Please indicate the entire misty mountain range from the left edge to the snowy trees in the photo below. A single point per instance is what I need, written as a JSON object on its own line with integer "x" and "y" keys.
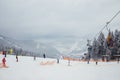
{"x": 52, "y": 48}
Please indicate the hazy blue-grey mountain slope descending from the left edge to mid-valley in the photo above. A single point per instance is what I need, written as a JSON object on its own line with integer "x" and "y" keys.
{"x": 31, "y": 46}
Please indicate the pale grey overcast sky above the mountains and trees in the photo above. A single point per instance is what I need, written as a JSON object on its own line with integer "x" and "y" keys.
{"x": 34, "y": 19}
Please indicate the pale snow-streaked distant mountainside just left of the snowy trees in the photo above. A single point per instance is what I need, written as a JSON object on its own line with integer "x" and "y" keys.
{"x": 72, "y": 47}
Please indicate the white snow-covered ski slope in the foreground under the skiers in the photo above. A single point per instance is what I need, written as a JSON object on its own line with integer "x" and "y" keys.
{"x": 28, "y": 69}
